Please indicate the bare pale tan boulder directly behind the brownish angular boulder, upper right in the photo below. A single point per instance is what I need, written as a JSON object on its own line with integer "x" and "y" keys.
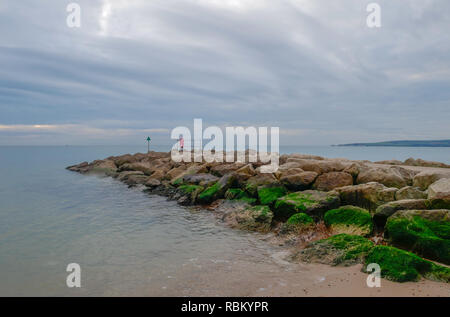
{"x": 389, "y": 176}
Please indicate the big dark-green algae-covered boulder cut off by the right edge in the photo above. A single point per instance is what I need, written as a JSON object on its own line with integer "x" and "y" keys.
{"x": 425, "y": 232}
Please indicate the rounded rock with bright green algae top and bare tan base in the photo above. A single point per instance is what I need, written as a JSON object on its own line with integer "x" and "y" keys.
{"x": 350, "y": 220}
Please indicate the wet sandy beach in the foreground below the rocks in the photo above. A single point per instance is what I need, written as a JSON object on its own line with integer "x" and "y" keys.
{"x": 276, "y": 277}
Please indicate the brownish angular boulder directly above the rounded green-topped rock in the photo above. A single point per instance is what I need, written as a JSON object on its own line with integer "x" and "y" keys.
{"x": 368, "y": 196}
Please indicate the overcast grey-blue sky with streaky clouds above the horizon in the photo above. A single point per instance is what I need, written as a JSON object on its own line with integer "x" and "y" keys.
{"x": 135, "y": 68}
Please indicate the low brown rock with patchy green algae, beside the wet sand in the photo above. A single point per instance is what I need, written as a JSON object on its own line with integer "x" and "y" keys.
{"x": 341, "y": 249}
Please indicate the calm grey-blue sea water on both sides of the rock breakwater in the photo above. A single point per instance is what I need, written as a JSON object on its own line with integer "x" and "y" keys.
{"x": 125, "y": 241}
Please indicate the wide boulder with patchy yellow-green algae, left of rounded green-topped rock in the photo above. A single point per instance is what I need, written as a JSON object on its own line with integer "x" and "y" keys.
{"x": 312, "y": 202}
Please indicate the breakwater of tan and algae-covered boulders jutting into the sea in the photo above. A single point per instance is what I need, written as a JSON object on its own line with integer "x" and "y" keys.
{"x": 245, "y": 199}
